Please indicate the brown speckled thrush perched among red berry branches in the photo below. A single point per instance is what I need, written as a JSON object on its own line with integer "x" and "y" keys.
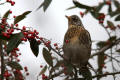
{"x": 77, "y": 43}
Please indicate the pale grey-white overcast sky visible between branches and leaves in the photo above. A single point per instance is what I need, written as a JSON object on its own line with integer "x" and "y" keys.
{"x": 52, "y": 25}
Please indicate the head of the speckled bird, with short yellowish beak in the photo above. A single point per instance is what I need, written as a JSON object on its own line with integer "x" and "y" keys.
{"x": 74, "y": 20}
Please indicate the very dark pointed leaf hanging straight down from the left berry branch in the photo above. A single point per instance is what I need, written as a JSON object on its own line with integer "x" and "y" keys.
{"x": 34, "y": 46}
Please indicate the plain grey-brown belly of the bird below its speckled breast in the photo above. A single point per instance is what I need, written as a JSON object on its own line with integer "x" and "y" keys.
{"x": 76, "y": 53}
